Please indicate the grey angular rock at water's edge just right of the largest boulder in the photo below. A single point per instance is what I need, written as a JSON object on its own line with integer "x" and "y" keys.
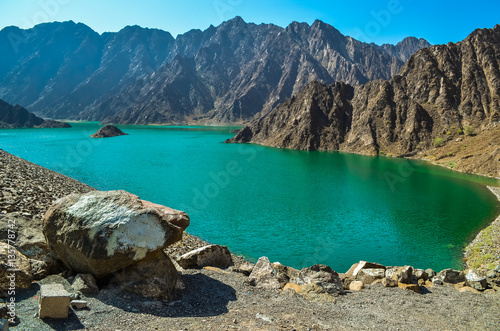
{"x": 207, "y": 256}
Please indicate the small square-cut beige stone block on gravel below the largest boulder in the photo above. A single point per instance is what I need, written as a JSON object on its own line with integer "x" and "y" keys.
{"x": 54, "y": 301}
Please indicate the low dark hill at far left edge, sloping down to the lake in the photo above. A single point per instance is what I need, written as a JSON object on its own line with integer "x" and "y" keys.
{"x": 18, "y": 117}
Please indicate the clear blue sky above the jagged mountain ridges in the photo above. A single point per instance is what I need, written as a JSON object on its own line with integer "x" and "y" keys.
{"x": 386, "y": 21}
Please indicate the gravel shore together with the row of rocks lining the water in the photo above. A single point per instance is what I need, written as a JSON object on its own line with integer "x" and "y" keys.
{"x": 217, "y": 299}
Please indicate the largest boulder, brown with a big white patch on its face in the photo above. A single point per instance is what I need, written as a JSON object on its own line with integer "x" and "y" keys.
{"x": 102, "y": 232}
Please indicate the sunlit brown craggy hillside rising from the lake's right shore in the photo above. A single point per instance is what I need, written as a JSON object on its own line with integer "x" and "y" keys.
{"x": 444, "y": 103}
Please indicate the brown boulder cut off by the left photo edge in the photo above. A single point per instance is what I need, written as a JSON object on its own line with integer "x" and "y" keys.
{"x": 15, "y": 269}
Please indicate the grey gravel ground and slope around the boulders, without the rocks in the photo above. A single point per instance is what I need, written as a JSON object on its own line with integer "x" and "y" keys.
{"x": 214, "y": 299}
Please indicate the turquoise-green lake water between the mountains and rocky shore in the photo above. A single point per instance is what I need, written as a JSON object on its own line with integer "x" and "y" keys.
{"x": 298, "y": 208}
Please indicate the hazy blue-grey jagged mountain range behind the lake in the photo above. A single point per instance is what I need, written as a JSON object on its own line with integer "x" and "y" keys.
{"x": 223, "y": 75}
